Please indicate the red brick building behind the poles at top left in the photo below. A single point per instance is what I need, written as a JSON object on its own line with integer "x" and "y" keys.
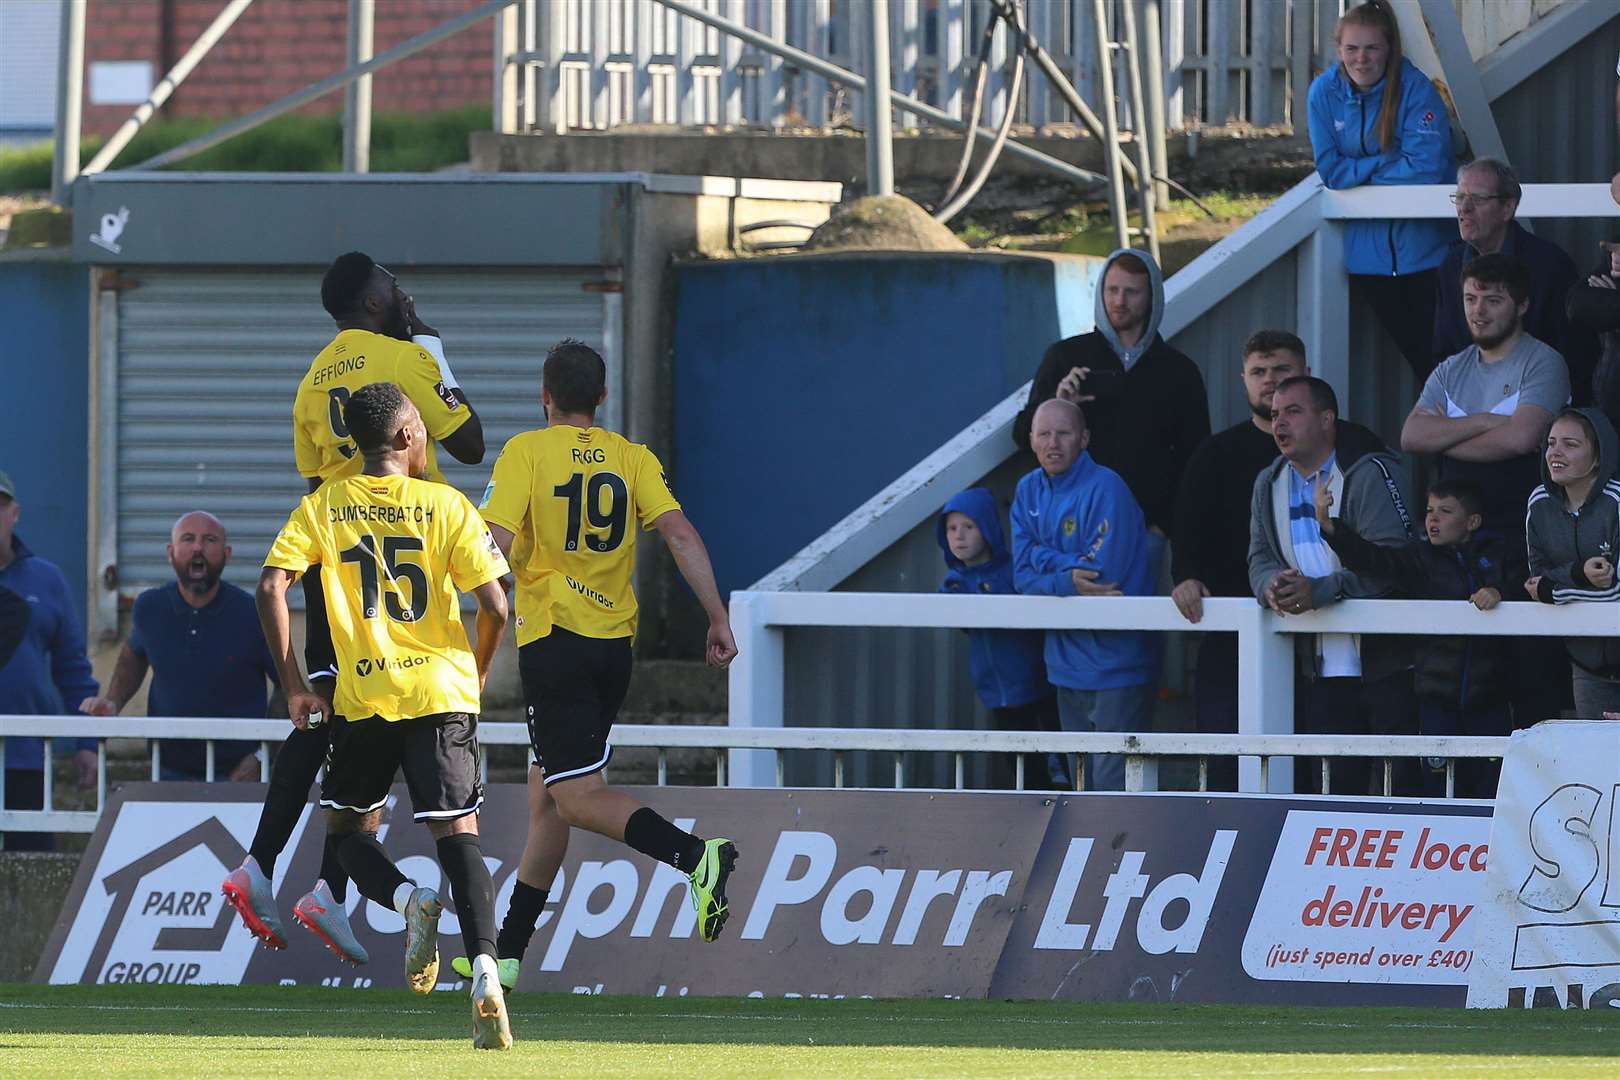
{"x": 275, "y": 49}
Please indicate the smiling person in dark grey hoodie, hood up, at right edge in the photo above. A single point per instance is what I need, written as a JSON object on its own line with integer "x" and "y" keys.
{"x": 1574, "y": 530}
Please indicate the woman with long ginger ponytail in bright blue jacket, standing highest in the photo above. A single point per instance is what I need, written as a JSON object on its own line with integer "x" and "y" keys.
{"x": 1378, "y": 121}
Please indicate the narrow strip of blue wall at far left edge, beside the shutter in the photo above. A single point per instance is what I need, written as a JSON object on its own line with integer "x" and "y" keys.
{"x": 45, "y": 433}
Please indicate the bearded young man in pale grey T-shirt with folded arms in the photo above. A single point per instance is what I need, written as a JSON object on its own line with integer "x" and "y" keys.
{"x": 1485, "y": 415}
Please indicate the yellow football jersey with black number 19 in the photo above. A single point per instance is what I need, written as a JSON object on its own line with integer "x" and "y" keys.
{"x": 571, "y": 498}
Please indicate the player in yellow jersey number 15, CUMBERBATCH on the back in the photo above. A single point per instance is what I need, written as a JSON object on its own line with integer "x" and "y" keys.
{"x": 394, "y": 550}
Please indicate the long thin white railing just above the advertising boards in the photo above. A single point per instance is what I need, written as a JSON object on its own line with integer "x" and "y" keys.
{"x": 774, "y": 742}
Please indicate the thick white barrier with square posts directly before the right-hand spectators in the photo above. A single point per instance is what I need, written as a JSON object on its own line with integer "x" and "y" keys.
{"x": 1266, "y": 653}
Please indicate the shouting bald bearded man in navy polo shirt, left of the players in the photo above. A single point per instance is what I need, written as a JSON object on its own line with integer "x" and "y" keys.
{"x": 202, "y": 642}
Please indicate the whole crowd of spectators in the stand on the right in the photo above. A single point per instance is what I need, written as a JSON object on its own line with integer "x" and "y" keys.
{"x": 1298, "y": 508}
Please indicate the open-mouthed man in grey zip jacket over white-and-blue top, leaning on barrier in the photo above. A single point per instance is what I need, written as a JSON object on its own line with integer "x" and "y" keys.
{"x": 1354, "y": 686}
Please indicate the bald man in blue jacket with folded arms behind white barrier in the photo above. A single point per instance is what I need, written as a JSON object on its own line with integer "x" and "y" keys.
{"x": 1078, "y": 532}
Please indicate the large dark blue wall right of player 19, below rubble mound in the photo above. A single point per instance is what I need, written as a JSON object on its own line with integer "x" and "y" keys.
{"x": 806, "y": 385}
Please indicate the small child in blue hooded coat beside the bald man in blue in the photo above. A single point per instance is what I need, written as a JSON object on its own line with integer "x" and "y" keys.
{"x": 1008, "y": 666}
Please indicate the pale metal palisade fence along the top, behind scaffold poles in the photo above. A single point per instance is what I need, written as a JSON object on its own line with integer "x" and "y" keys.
{"x": 600, "y": 64}
